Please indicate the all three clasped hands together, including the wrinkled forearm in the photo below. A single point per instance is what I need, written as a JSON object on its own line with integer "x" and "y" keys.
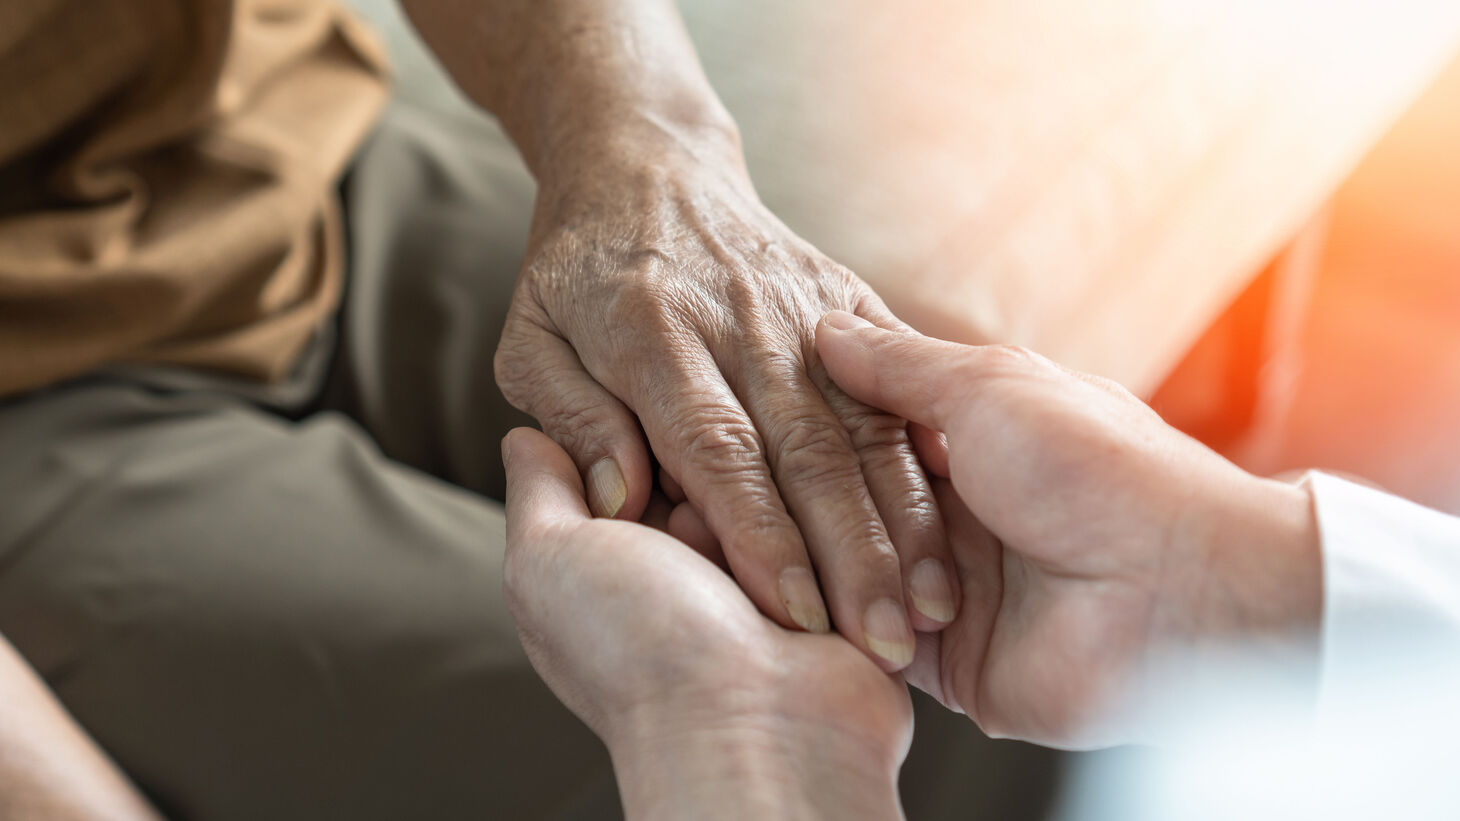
{"x": 665, "y": 312}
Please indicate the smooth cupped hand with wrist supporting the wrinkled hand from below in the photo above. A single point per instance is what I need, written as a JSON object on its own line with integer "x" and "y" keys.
{"x": 707, "y": 708}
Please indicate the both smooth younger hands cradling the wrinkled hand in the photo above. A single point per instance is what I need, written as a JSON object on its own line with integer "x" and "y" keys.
{"x": 1086, "y": 535}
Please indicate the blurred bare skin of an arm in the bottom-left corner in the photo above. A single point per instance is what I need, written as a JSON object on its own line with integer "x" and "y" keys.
{"x": 49, "y": 768}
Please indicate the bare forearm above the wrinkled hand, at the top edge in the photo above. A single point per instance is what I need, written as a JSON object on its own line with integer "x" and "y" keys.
{"x": 577, "y": 80}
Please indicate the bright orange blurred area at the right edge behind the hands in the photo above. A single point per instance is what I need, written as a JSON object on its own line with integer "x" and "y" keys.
{"x": 1378, "y": 386}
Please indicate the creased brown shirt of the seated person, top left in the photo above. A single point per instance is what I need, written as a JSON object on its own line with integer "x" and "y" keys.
{"x": 167, "y": 180}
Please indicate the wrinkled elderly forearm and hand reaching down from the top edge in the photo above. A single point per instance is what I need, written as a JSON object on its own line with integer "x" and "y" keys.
{"x": 662, "y": 302}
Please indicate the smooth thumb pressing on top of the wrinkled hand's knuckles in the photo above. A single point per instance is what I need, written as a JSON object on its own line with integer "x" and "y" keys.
{"x": 916, "y": 378}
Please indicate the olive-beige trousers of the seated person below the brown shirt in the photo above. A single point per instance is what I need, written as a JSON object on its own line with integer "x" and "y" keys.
{"x": 287, "y": 604}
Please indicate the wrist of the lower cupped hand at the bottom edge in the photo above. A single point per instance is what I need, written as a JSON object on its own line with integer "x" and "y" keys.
{"x": 751, "y": 768}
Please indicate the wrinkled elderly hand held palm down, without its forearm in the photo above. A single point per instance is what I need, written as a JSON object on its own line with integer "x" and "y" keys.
{"x": 661, "y": 300}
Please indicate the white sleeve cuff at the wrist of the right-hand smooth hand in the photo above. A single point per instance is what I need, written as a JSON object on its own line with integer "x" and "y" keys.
{"x": 1391, "y": 588}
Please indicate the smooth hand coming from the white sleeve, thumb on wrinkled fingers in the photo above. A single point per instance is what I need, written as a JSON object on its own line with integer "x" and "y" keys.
{"x": 1088, "y": 534}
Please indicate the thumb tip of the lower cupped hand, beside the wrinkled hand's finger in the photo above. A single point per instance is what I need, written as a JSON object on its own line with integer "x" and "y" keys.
{"x": 542, "y": 484}
